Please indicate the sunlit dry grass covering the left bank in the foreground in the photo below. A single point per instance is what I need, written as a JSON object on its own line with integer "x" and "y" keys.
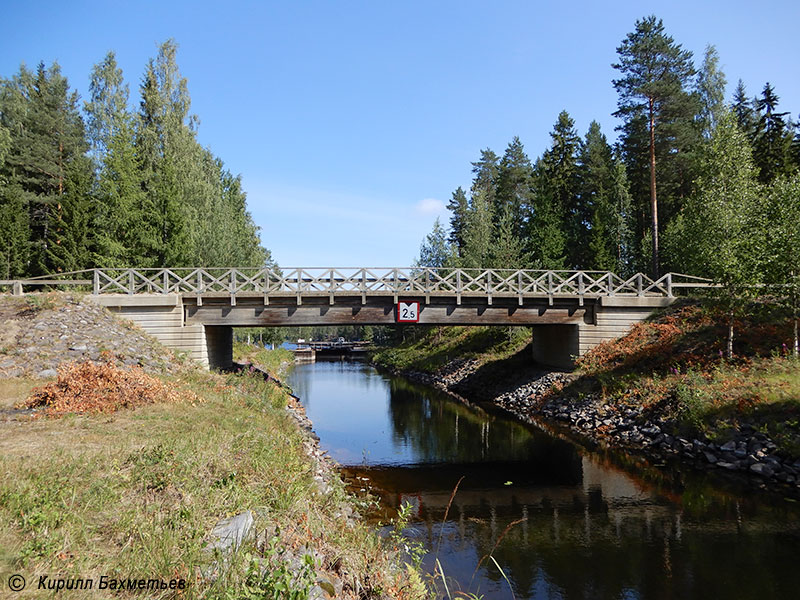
{"x": 135, "y": 493}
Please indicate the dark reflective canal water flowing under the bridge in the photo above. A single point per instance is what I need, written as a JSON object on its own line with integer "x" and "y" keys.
{"x": 587, "y": 525}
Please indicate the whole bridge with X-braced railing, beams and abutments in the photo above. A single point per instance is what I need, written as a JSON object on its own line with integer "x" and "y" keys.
{"x": 195, "y": 309}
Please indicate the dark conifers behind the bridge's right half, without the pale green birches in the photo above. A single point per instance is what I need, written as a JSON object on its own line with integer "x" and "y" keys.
{"x": 586, "y": 203}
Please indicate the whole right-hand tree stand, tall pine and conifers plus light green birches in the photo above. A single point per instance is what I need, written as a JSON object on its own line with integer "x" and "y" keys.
{"x": 693, "y": 184}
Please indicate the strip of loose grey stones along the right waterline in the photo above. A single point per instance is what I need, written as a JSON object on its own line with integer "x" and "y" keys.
{"x": 748, "y": 452}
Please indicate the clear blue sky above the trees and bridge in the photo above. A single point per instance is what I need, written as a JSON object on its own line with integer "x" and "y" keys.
{"x": 352, "y": 122}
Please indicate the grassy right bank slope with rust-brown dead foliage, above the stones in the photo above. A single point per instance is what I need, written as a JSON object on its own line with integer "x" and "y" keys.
{"x": 673, "y": 364}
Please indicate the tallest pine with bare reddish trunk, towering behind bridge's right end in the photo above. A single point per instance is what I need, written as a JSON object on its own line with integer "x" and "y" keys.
{"x": 655, "y": 72}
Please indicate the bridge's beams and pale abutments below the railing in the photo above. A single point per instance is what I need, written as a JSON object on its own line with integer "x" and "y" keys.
{"x": 563, "y": 328}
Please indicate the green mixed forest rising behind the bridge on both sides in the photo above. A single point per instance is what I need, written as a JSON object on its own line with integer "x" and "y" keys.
{"x": 692, "y": 182}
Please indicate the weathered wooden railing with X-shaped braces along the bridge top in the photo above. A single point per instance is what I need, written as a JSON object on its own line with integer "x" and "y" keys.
{"x": 331, "y": 282}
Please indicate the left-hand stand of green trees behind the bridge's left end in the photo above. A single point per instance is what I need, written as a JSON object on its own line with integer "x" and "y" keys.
{"x": 101, "y": 185}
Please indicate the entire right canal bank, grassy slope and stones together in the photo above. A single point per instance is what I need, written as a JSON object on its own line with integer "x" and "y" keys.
{"x": 663, "y": 391}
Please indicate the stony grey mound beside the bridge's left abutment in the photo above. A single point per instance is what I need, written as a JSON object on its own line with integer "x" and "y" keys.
{"x": 40, "y": 332}
